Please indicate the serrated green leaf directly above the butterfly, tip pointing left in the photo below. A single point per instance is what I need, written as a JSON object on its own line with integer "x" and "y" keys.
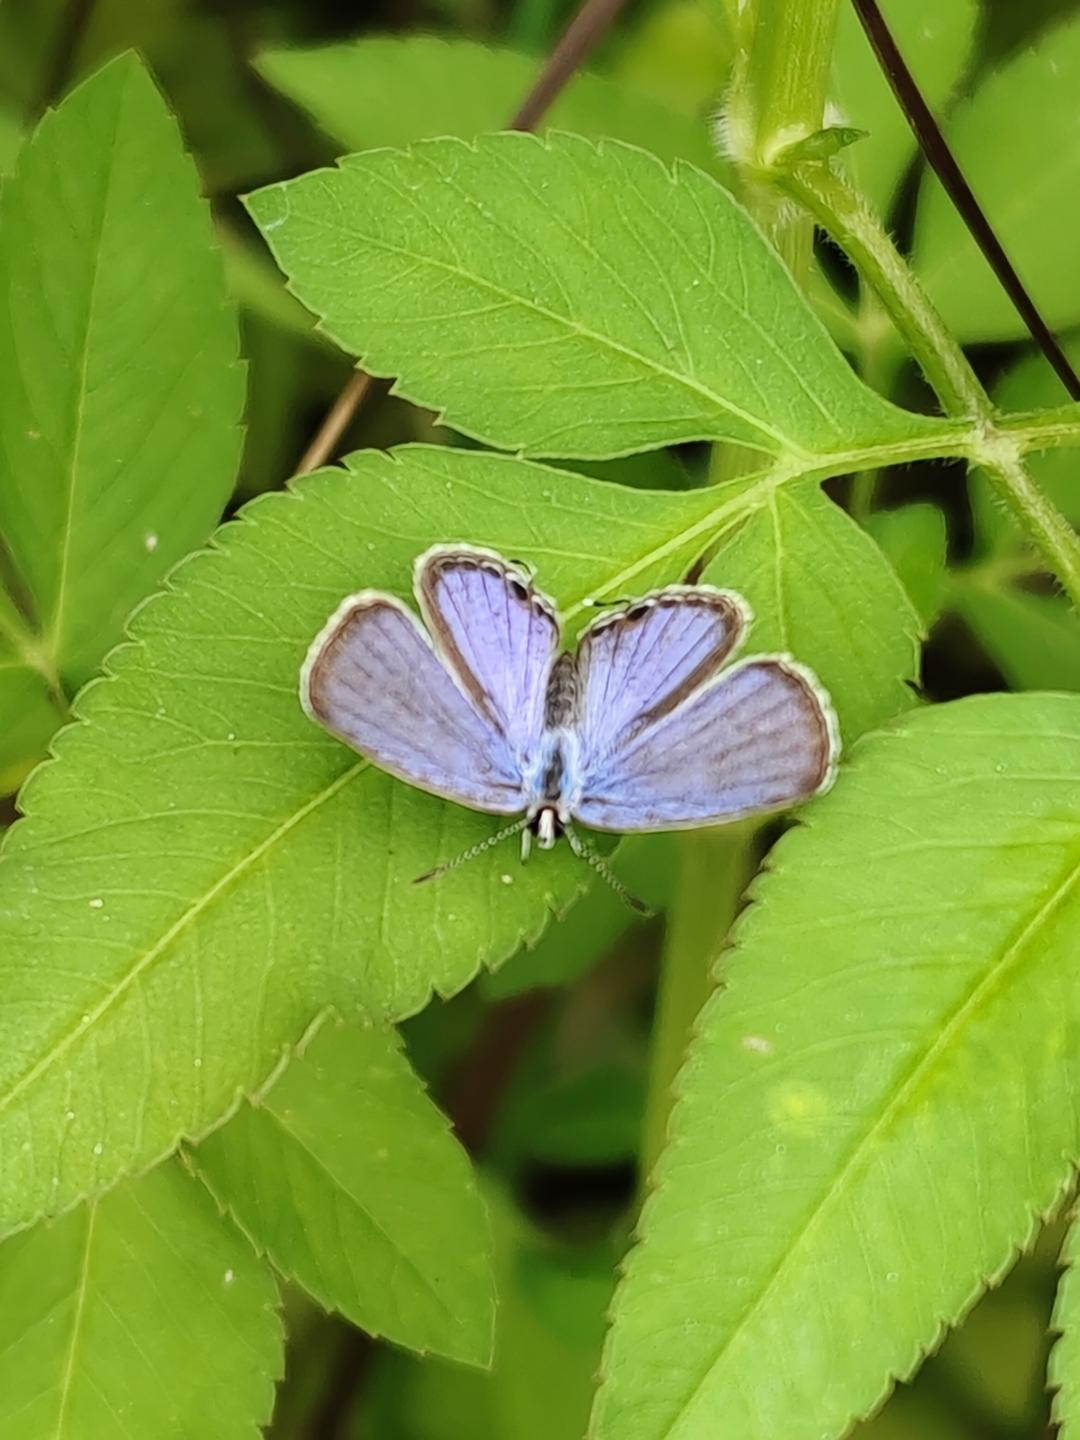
{"x": 502, "y": 286}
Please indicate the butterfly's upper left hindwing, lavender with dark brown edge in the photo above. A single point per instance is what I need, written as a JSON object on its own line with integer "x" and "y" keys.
{"x": 496, "y": 633}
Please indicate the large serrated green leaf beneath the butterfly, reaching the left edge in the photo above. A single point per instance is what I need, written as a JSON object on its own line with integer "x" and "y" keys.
{"x": 202, "y": 870}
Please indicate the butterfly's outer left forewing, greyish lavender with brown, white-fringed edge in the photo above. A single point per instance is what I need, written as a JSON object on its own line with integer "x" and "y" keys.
{"x": 375, "y": 682}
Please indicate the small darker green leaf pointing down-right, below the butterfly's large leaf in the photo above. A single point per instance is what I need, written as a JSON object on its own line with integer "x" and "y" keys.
{"x": 348, "y": 1177}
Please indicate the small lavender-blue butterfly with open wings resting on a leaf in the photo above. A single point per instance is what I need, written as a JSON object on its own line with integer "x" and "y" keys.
{"x": 646, "y": 726}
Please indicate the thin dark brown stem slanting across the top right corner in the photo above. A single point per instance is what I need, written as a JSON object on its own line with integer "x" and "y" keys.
{"x": 937, "y": 150}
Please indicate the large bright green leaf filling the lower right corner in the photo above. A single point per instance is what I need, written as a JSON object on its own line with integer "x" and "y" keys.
{"x": 881, "y": 1099}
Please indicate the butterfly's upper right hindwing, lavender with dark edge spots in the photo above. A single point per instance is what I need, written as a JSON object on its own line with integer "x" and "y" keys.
{"x": 640, "y": 663}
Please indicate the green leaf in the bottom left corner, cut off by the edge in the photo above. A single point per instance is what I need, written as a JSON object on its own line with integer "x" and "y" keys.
{"x": 143, "y": 1314}
